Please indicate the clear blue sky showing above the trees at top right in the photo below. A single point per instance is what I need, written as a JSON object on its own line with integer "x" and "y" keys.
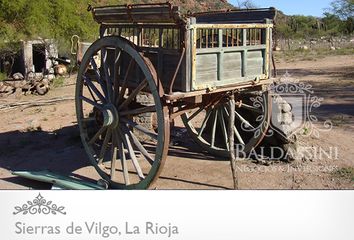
{"x": 294, "y": 7}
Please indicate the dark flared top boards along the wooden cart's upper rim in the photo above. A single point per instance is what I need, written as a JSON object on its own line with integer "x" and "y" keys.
{"x": 169, "y": 14}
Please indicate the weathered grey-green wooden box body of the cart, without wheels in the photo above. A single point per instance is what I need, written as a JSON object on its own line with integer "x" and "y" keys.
{"x": 214, "y": 49}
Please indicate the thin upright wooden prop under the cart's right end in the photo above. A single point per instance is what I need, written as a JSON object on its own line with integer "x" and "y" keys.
{"x": 231, "y": 140}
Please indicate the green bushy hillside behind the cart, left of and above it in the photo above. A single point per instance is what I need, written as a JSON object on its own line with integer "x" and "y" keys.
{"x": 26, "y": 19}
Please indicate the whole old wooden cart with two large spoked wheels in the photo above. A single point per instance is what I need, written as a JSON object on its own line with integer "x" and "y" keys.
{"x": 151, "y": 65}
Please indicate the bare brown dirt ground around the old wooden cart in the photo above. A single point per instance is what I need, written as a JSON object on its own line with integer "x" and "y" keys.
{"x": 47, "y": 137}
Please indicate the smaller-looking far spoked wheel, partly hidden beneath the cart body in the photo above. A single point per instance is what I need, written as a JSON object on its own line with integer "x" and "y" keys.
{"x": 208, "y": 125}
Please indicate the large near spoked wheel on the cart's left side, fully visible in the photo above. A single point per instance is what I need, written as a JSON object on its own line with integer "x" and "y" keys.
{"x": 117, "y": 91}
